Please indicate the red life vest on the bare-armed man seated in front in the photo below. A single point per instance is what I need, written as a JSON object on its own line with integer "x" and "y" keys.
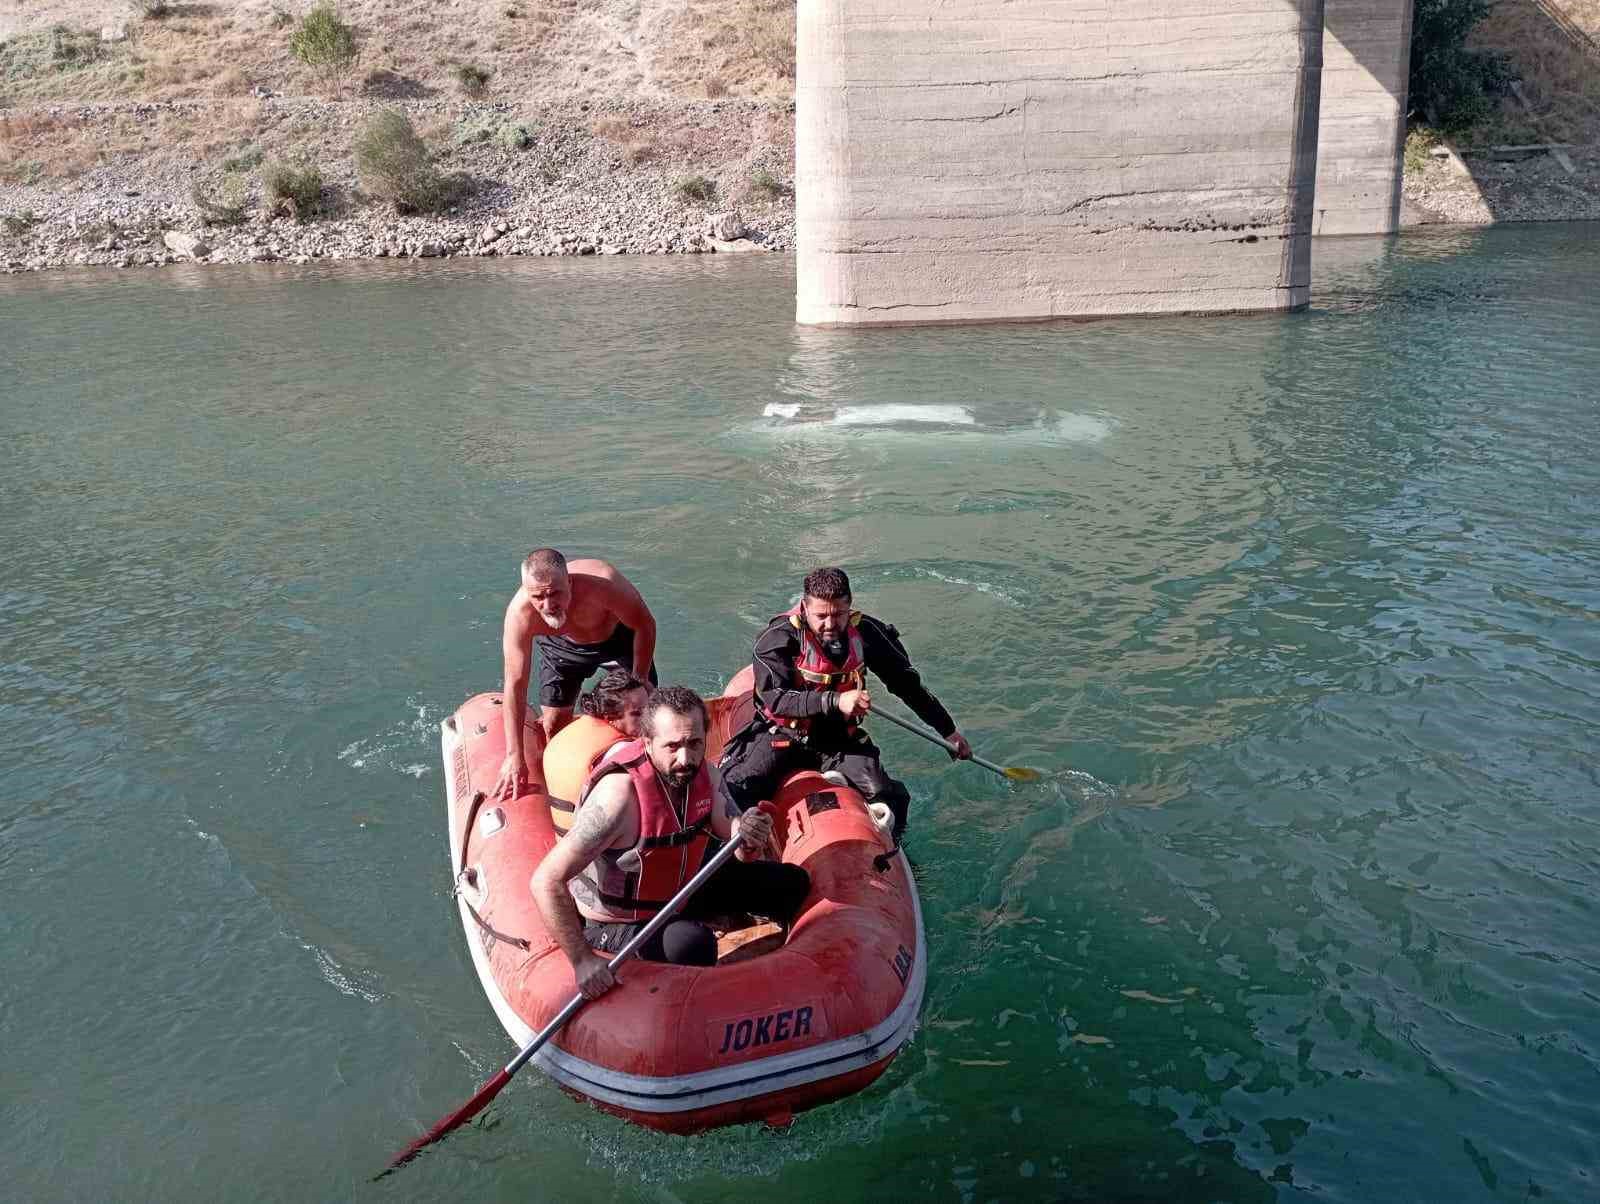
{"x": 623, "y": 886}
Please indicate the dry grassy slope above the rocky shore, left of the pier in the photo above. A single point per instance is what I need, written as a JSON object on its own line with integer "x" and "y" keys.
{"x": 550, "y": 50}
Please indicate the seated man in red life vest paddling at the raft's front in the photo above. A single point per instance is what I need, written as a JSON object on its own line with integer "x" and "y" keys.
{"x": 644, "y": 822}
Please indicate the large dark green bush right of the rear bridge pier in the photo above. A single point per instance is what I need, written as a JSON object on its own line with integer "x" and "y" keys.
{"x": 1452, "y": 86}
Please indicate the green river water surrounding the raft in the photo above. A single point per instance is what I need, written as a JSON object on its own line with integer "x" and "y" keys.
{"x": 1303, "y": 616}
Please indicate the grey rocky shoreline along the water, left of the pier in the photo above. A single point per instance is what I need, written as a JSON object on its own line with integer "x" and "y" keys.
{"x": 559, "y": 188}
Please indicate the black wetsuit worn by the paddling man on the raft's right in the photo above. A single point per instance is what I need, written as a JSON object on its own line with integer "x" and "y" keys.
{"x": 762, "y": 755}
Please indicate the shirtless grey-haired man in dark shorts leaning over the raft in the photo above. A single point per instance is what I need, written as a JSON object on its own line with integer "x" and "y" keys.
{"x": 582, "y": 617}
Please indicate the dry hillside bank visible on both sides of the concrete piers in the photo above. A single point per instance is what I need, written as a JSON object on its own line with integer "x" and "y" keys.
{"x": 111, "y": 114}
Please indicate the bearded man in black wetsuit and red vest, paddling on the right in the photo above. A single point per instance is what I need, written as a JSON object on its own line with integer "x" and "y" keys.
{"x": 812, "y": 696}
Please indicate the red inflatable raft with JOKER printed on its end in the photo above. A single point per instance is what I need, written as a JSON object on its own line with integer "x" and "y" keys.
{"x": 777, "y": 1027}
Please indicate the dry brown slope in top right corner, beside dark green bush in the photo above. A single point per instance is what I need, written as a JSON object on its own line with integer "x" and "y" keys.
{"x": 1556, "y": 46}
